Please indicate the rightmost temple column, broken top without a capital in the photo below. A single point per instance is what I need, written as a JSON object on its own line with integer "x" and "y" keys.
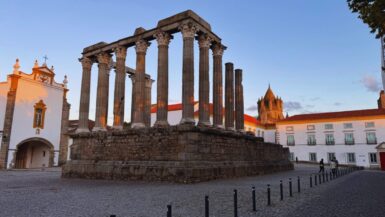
{"x": 239, "y": 107}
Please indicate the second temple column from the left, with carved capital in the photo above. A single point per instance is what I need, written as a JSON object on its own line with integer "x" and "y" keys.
{"x": 104, "y": 60}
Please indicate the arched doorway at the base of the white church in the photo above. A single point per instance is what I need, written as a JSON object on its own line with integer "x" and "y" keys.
{"x": 34, "y": 153}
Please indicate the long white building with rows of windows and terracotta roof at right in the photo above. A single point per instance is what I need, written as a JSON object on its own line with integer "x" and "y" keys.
{"x": 352, "y": 137}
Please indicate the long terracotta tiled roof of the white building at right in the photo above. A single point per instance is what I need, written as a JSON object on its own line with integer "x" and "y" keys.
{"x": 330, "y": 115}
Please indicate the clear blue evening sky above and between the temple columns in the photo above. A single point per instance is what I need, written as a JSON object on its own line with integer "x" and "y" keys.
{"x": 316, "y": 55}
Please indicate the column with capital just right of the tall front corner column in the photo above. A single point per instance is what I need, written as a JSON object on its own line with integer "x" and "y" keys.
{"x": 204, "y": 83}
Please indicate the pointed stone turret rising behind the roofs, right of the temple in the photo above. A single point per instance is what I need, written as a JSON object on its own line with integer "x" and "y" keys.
{"x": 270, "y": 108}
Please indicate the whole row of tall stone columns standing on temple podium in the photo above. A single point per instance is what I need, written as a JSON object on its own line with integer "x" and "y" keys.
{"x": 141, "y": 94}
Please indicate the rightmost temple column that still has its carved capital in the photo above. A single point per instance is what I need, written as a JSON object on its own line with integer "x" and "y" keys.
{"x": 217, "y": 49}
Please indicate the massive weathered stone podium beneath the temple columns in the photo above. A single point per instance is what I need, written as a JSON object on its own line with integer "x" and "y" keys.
{"x": 183, "y": 154}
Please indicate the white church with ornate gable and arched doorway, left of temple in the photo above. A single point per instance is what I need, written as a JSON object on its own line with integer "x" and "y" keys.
{"x": 33, "y": 119}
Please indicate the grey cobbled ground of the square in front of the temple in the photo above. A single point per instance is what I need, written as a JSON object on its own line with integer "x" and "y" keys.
{"x": 44, "y": 193}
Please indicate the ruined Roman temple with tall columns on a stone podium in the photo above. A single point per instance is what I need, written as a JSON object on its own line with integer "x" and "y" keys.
{"x": 187, "y": 152}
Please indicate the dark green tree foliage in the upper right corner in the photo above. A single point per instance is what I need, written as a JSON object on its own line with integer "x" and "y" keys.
{"x": 372, "y": 12}
